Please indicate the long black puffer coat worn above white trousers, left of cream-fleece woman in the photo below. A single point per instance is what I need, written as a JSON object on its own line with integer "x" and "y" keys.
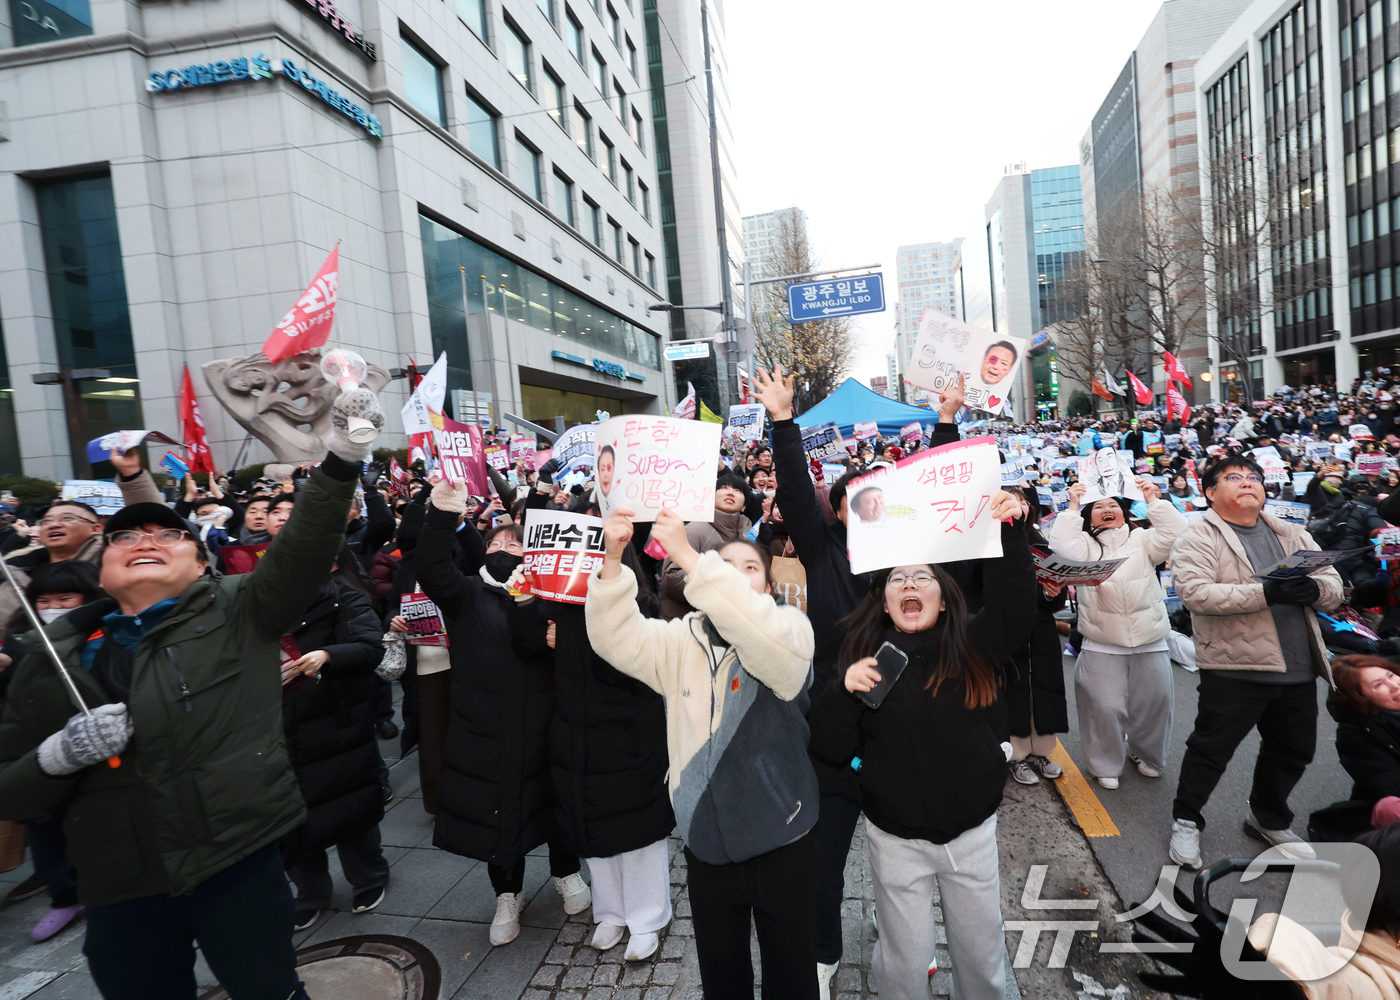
{"x": 607, "y": 744}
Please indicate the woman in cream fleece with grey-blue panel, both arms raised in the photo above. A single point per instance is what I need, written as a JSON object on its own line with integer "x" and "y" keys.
{"x": 736, "y": 676}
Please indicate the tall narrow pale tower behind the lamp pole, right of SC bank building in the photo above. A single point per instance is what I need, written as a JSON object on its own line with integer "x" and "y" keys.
{"x": 680, "y": 111}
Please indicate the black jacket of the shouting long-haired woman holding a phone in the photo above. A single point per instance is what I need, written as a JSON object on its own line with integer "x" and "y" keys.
{"x": 932, "y": 768}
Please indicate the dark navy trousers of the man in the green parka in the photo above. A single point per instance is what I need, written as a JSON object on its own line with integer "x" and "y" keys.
{"x": 145, "y": 949}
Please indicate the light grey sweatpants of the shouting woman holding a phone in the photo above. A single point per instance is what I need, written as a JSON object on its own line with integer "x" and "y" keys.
{"x": 969, "y": 886}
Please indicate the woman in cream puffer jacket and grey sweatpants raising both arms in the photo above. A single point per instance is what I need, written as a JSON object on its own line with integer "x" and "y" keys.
{"x": 1123, "y": 677}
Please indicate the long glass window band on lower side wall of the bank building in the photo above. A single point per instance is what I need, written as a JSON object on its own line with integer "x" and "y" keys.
{"x": 520, "y": 295}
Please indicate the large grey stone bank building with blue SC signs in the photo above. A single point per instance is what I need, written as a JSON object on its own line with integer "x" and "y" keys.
{"x": 169, "y": 202}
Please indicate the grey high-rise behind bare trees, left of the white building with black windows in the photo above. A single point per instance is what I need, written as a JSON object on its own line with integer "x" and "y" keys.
{"x": 1142, "y": 180}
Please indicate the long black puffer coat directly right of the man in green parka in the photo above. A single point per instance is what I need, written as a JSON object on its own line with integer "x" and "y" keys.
{"x": 328, "y": 722}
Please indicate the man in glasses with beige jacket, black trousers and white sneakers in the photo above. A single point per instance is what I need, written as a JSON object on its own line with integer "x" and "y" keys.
{"x": 1259, "y": 648}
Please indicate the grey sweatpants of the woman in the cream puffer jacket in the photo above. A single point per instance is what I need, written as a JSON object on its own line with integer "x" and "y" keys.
{"x": 1123, "y": 697}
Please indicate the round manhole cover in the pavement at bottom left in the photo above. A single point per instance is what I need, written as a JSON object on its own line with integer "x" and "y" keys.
{"x": 369, "y": 967}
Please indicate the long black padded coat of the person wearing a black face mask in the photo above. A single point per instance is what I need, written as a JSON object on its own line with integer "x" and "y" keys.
{"x": 496, "y": 802}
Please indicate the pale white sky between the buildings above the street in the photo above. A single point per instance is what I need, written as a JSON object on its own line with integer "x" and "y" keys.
{"x": 892, "y": 123}
